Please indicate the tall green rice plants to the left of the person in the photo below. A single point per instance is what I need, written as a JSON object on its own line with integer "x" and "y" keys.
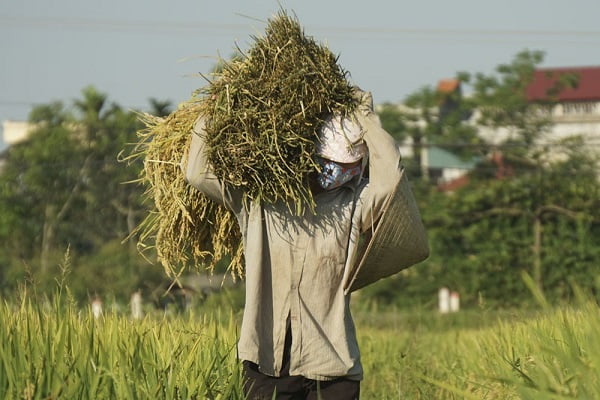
{"x": 57, "y": 352}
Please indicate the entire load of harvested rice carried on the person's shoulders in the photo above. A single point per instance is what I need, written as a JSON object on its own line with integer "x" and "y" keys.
{"x": 262, "y": 112}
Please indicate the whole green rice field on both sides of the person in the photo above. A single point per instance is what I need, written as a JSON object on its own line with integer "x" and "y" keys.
{"x": 53, "y": 350}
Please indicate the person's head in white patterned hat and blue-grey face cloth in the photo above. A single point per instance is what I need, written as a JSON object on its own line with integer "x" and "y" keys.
{"x": 340, "y": 150}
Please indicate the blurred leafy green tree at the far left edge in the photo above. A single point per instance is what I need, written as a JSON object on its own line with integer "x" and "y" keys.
{"x": 38, "y": 175}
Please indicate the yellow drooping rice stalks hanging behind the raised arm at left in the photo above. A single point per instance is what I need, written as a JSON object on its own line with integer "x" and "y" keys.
{"x": 185, "y": 227}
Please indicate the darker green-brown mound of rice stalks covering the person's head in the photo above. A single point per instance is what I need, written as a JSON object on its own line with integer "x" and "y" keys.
{"x": 263, "y": 111}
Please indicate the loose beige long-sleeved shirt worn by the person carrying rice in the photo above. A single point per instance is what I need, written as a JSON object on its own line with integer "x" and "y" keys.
{"x": 297, "y": 267}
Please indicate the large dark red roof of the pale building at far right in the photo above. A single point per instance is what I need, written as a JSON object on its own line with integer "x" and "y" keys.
{"x": 587, "y": 89}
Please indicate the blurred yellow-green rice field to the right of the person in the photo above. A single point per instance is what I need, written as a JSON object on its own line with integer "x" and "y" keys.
{"x": 552, "y": 355}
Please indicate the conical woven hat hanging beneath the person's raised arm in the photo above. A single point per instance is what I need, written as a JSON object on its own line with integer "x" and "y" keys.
{"x": 399, "y": 240}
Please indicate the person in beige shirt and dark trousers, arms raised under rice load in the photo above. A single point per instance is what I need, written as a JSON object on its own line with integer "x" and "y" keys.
{"x": 297, "y": 337}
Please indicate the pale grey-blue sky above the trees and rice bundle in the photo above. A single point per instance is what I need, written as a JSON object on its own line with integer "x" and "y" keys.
{"x": 133, "y": 50}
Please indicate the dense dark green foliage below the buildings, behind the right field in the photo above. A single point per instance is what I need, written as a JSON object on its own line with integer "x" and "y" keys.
{"x": 483, "y": 236}
